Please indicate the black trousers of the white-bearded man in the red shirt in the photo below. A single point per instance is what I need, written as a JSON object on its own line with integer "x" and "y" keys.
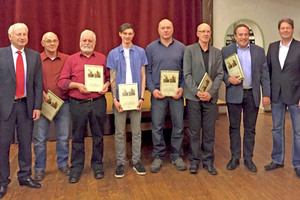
{"x": 93, "y": 112}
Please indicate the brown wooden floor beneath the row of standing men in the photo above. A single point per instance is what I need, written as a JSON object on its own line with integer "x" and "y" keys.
{"x": 169, "y": 183}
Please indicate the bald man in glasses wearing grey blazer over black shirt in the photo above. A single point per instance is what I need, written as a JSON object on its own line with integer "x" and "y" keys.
{"x": 201, "y": 58}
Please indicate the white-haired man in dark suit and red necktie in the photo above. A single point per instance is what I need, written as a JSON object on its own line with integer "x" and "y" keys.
{"x": 21, "y": 88}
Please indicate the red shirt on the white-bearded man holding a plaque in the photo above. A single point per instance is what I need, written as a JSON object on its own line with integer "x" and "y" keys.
{"x": 73, "y": 71}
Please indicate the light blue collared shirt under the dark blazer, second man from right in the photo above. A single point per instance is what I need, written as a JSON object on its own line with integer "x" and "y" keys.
{"x": 245, "y": 60}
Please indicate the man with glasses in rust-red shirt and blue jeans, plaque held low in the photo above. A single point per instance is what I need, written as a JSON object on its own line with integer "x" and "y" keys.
{"x": 52, "y": 63}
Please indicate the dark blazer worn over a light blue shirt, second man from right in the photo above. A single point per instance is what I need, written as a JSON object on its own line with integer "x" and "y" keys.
{"x": 260, "y": 75}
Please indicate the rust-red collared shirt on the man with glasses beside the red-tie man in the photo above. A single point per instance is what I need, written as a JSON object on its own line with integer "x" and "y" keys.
{"x": 51, "y": 71}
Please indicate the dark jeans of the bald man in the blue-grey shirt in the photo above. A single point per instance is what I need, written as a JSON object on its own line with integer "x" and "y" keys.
{"x": 158, "y": 113}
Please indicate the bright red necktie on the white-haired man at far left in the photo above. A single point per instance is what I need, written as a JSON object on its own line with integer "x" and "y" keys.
{"x": 20, "y": 76}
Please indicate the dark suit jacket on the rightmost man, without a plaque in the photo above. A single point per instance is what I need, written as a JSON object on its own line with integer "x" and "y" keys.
{"x": 286, "y": 82}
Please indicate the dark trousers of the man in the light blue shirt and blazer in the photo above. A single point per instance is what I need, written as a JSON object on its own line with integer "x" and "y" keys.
{"x": 250, "y": 112}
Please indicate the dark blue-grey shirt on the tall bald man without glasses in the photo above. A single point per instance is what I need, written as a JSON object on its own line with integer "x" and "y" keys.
{"x": 160, "y": 58}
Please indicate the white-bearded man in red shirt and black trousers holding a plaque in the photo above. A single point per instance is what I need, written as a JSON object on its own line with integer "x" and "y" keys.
{"x": 85, "y": 106}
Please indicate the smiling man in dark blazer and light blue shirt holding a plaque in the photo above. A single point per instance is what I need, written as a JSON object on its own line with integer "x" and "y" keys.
{"x": 244, "y": 95}
